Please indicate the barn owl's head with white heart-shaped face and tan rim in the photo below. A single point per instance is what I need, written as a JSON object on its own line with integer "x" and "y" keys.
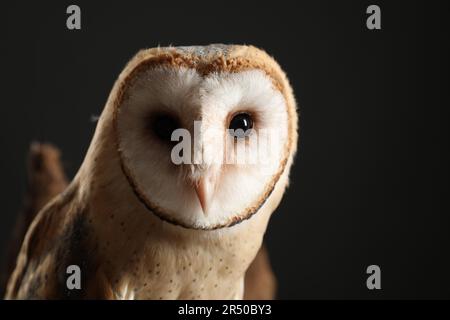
{"x": 203, "y": 134}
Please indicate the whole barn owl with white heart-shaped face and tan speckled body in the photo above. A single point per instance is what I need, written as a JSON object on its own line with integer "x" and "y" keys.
{"x": 139, "y": 224}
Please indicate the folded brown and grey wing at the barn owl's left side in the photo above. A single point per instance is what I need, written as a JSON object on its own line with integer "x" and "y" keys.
{"x": 57, "y": 240}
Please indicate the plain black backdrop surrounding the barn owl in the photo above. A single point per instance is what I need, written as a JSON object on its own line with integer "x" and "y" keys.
{"x": 370, "y": 183}
